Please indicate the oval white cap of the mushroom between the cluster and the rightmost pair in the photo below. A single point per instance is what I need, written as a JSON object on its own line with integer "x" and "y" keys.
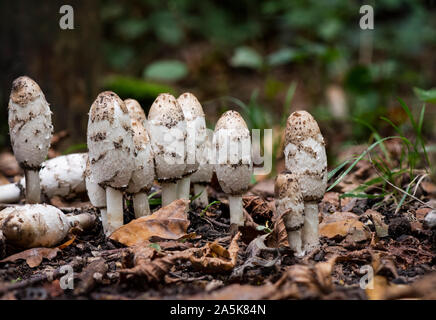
{"x": 233, "y": 153}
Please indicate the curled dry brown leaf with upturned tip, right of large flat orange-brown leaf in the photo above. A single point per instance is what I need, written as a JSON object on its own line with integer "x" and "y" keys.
{"x": 213, "y": 258}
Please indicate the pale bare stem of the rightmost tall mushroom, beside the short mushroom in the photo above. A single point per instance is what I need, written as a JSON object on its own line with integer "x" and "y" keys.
{"x": 310, "y": 229}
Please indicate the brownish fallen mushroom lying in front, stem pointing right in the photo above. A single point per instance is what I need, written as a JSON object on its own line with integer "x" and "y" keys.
{"x": 39, "y": 225}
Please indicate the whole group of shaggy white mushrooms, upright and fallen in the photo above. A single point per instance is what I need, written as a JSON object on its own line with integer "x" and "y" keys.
{"x": 128, "y": 151}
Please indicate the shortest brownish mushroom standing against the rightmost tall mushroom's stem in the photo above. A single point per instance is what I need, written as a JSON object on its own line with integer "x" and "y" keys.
{"x": 290, "y": 206}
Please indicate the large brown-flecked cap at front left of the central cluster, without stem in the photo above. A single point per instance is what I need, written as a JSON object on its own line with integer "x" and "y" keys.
{"x": 110, "y": 141}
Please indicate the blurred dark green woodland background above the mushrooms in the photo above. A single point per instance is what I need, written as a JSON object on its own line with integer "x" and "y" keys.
{"x": 264, "y": 58}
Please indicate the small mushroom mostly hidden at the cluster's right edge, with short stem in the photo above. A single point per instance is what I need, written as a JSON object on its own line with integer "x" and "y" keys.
{"x": 202, "y": 177}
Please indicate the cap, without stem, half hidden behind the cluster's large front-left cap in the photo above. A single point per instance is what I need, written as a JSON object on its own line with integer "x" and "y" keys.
{"x": 143, "y": 174}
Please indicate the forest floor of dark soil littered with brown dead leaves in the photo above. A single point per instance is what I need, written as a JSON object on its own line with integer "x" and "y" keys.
{"x": 175, "y": 254}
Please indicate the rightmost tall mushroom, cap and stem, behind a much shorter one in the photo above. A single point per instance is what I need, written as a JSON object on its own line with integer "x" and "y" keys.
{"x": 305, "y": 157}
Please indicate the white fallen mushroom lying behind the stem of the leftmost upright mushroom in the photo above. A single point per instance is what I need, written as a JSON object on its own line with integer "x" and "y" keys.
{"x": 61, "y": 176}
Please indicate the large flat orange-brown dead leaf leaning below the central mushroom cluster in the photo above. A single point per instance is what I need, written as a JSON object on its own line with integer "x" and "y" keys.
{"x": 170, "y": 222}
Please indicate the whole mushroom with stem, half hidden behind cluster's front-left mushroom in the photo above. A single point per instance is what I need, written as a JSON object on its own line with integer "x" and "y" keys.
{"x": 143, "y": 173}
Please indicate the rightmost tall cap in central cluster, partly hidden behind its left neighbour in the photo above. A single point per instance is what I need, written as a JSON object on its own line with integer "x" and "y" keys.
{"x": 195, "y": 129}
